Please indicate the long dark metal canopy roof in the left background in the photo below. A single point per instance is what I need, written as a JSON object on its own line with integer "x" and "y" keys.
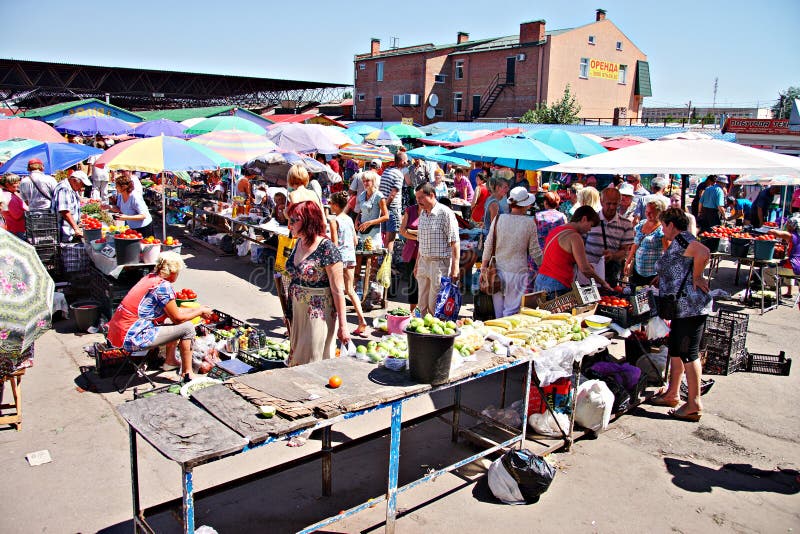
{"x": 33, "y": 84}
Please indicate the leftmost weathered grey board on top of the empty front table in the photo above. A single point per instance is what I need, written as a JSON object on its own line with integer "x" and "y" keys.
{"x": 180, "y": 430}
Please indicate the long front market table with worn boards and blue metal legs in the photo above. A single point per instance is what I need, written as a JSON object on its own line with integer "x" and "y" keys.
{"x": 222, "y": 421}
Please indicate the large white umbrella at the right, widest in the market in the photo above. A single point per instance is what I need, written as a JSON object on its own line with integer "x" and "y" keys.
{"x": 684, "y": 156}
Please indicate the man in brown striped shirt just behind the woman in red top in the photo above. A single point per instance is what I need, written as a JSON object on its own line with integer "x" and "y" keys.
{"x": 611, "y": 239}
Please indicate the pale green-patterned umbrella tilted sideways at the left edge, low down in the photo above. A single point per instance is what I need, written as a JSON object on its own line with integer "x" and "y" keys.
{"x": 26, "y": 299}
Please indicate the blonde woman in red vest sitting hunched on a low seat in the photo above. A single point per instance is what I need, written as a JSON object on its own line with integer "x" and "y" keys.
{"x": 138, "y": 322}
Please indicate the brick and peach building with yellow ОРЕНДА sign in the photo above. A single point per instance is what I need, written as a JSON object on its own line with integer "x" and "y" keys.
{"x": 504, "y": 76}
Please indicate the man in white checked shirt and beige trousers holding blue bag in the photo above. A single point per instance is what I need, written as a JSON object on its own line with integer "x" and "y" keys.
{"x": 439, "y": 248}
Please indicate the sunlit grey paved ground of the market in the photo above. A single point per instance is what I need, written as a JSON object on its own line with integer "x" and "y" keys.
{"x": 735, "y": 471}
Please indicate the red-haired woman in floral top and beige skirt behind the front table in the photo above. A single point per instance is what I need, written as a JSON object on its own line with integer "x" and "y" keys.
{"x": 316, "y": 290}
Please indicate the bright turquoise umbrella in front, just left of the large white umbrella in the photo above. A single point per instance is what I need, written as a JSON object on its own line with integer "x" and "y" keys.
{"x": 515, "y": 152}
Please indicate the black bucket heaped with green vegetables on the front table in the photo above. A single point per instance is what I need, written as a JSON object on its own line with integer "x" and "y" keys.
{"x": 429, "y": 357}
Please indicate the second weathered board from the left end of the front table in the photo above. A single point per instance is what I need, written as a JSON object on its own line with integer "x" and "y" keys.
{"x": 243, "y": 417}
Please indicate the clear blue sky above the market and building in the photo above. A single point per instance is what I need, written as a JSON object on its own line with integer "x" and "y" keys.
{"x": 752, "y": 47}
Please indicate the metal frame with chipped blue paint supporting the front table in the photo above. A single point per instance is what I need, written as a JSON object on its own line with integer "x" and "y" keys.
{"x": 326, "y": 454}
